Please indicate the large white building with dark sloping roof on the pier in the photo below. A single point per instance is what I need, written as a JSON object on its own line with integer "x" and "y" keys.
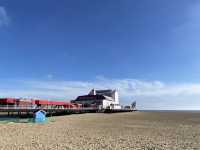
{"x": 101, "y": 99}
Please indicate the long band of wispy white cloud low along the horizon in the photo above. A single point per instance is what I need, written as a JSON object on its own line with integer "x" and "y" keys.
{"x": 149, "y": 94}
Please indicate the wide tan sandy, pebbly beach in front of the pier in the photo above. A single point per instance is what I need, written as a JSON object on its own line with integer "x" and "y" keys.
{"x": 135, "y": 130}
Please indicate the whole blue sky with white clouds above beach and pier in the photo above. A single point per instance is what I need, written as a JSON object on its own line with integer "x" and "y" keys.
{"x": 148, "y": 50}
